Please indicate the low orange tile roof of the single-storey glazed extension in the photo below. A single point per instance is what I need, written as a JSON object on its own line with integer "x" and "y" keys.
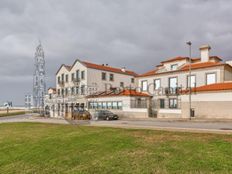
{"x": 125, "y": 92}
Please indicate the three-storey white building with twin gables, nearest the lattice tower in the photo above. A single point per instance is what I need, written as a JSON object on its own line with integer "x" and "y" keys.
{"x": 74, "y": 83}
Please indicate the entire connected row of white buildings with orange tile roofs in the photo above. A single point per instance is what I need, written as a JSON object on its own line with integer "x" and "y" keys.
{"x": 161, "y": 93}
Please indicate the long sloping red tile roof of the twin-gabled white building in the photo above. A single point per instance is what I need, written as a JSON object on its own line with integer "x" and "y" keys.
{"x": 108, "y": 68}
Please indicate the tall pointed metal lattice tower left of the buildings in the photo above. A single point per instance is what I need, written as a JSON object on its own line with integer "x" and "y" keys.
{"x": 39, "y": 85}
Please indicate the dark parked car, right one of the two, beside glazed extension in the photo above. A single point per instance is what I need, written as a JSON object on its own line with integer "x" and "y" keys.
{"x": 104, "y": 115}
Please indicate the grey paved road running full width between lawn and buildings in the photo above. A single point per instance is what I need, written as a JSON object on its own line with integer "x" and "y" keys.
{"x": 173, "y": 125}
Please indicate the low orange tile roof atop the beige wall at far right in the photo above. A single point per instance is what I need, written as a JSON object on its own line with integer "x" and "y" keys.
{"x": 213, "y": 87}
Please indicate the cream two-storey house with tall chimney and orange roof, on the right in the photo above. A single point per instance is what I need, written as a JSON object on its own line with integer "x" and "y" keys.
{"x": 167, "y": 80}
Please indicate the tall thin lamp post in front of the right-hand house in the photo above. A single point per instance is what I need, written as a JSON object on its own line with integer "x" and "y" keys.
{"x": 189, "y": 82}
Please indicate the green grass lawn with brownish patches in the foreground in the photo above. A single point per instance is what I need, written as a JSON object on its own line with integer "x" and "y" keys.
{"x": 50, "y": 148}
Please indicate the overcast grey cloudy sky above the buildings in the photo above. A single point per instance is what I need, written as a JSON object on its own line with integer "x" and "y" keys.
{"x": 132, "y": 33}
